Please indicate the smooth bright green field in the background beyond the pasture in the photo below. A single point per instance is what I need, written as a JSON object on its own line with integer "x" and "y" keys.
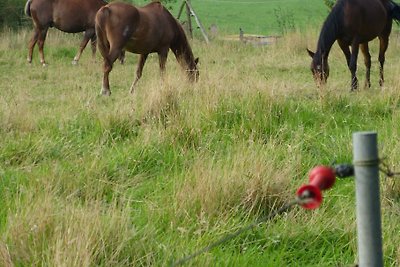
{"x": 269, "y": 17}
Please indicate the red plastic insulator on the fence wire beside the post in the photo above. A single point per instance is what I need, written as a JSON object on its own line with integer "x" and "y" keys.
{"x": 321, "y": 178}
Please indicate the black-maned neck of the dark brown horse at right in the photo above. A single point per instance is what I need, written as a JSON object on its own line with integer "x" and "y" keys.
{"x": 329, "y": 33}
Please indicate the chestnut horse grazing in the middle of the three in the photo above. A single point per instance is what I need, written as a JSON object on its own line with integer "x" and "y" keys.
{"x": 141, "y": 30}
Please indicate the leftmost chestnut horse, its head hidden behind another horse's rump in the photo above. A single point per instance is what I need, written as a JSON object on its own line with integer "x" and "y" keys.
{"x": 71, "y": 16}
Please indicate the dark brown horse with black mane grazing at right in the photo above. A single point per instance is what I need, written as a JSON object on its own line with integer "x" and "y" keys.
{"x": 353, "y": 23}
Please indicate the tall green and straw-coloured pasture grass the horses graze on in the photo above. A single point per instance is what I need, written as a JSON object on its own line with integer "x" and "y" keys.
{"x": 148, "y": 178}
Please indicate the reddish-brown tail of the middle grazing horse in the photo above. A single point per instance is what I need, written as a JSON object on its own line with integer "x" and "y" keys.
{"x": 100, "y": 27}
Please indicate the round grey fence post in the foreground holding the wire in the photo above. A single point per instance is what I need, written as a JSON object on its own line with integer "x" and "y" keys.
{"x": 366, "y": 168}
